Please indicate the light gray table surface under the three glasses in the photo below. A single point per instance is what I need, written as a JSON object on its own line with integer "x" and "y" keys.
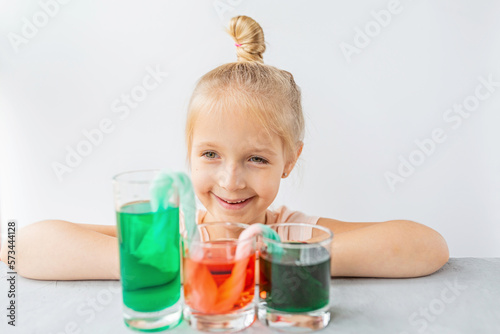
{"x": 462, "y": 297}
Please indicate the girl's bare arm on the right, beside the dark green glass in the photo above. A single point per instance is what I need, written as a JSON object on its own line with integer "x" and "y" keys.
{"x": 397, "y": 248}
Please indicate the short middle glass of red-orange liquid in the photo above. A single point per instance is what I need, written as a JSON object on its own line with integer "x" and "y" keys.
{"x": 219, "y": 278}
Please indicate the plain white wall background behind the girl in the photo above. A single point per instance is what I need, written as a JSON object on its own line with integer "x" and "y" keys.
{"x": 363, "y": 111}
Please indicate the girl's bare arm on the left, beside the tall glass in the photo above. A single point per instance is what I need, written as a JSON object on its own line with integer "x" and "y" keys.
{"x": 60, "y": 250}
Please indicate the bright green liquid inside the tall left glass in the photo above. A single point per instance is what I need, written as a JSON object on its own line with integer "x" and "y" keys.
{"x": 149, "y": 256}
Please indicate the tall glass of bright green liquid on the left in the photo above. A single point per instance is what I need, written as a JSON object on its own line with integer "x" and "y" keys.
{"x": 148, "y": 238}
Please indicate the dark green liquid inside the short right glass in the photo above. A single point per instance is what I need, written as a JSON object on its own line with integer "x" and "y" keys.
{"x": 288, "y": 287}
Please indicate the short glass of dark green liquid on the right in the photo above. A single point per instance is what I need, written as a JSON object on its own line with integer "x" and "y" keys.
{"x": 294, "y": 286}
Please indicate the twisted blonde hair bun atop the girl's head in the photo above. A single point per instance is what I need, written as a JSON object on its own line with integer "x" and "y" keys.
{"x": 249, "y": 34}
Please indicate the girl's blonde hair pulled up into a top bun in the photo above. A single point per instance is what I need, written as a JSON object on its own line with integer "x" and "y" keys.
{"x": 263, "y": 92}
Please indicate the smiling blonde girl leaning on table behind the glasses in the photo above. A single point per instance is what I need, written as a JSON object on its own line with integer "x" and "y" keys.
{"x": 244, "y": 134}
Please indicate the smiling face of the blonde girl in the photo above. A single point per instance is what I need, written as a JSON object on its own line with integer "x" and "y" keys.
{"x": 236, "y": 167}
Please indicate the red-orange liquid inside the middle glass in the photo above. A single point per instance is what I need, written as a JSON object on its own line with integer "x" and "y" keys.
{"x": 216, "y": 285}
